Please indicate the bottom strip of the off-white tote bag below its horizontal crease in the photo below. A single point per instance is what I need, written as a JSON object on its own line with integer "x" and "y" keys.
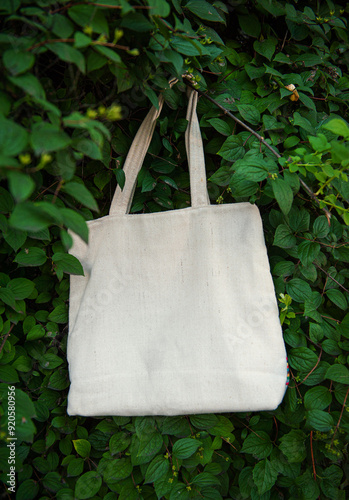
{"x": 169, "y": 393}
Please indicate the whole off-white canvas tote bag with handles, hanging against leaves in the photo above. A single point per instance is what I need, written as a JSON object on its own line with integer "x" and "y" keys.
{"x": 176, "y": 313}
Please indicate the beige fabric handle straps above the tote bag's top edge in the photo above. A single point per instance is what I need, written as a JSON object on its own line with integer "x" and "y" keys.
{"x": 121, "y": 202}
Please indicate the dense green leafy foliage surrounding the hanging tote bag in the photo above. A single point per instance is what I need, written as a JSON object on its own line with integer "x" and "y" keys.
{"x": 77, "y": 79}
